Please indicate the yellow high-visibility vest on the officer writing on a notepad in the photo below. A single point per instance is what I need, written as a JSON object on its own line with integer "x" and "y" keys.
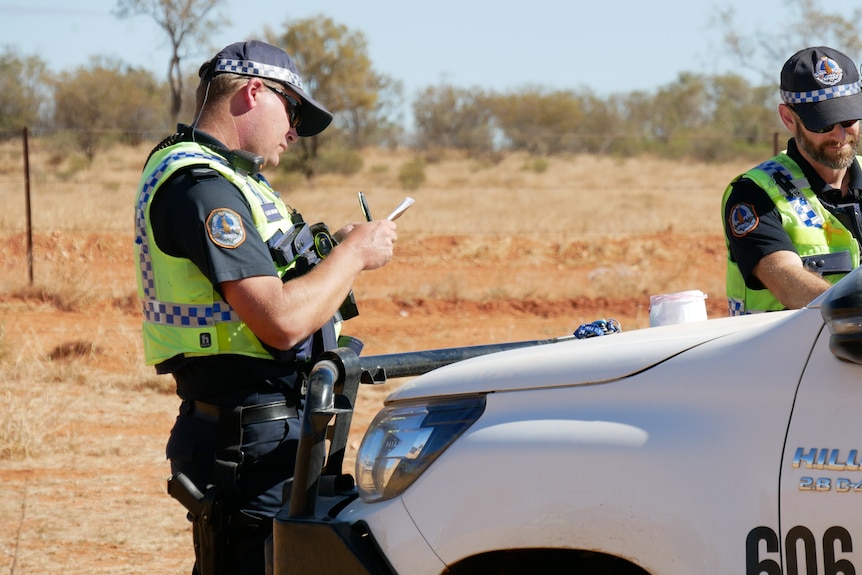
{"x": 182, "y": 311}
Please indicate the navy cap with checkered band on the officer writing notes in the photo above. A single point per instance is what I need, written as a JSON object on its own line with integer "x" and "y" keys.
{"x": 256, "y": 58}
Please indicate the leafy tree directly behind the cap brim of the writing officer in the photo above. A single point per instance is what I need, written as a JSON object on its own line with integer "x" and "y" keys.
{"x": 336, "y": 71}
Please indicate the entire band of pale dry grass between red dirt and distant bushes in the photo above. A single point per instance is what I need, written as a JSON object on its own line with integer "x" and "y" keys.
{"x": 579, "y": 195}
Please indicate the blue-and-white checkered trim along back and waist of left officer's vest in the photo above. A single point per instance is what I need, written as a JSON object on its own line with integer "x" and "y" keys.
{"x": 163, "y": 312}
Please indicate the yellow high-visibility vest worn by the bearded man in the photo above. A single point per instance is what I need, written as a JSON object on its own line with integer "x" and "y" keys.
{"x": 811, "y": 227}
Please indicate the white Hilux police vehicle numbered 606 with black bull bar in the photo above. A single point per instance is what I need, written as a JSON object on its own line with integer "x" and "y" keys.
{"x": 727, "y": 446}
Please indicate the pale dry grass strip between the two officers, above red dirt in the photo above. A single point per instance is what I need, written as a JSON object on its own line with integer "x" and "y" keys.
{"x": 575, "y": 196}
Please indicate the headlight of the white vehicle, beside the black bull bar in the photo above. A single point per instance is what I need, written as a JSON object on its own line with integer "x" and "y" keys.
{"x": 403, "y": 440}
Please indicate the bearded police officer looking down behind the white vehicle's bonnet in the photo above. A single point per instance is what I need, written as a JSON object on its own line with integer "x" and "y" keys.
{"x": 792, "y": 224}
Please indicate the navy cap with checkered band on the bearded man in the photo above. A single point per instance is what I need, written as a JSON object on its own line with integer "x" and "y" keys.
{"x": 821, "y": 84}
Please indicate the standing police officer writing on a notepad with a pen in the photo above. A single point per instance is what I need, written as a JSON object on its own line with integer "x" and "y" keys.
{"x": 239, "y": 294}
